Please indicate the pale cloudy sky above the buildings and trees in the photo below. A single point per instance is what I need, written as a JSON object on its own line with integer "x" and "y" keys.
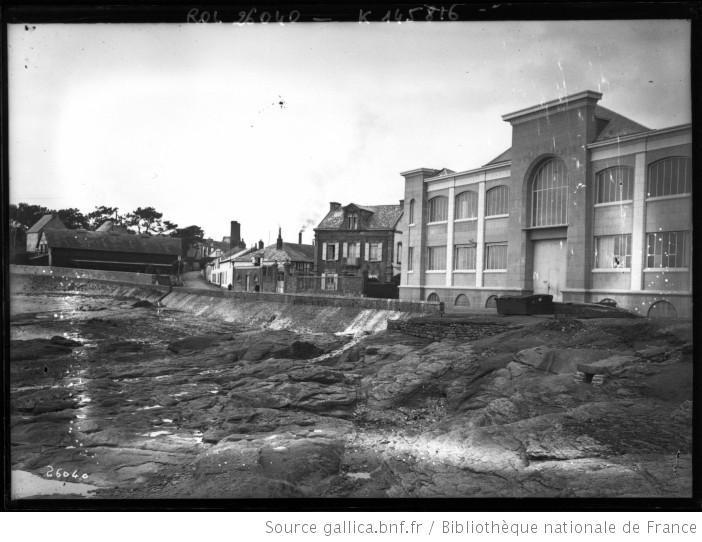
{"x": 266, "y": 124}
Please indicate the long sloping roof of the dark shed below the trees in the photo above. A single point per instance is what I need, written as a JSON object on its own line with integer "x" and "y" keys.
{"x": 113, "y": 242}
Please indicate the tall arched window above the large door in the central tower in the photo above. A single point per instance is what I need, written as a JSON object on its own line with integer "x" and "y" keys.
{"x": 549, "y": 194}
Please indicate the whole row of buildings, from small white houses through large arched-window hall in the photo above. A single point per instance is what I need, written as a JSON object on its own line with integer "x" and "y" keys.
{"x": 586, "y": 205}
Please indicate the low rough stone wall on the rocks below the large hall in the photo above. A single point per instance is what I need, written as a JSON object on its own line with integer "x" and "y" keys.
{"x": 447, "y": 328}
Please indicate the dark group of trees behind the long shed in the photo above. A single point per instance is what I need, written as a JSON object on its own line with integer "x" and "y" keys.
{"x": 144, "y": 220}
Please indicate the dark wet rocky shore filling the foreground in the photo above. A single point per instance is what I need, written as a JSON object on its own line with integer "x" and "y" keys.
{"x": 154, "y": 403}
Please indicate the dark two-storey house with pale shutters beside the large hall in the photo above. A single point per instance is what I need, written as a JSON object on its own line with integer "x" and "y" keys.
{"x": 358, "y": 241}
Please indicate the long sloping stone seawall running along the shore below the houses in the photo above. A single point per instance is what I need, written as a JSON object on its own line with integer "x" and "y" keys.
{"x": 295, "y": 312}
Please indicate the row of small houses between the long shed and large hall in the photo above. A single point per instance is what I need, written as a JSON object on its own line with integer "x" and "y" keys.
{"x": 355, "y": 252}
